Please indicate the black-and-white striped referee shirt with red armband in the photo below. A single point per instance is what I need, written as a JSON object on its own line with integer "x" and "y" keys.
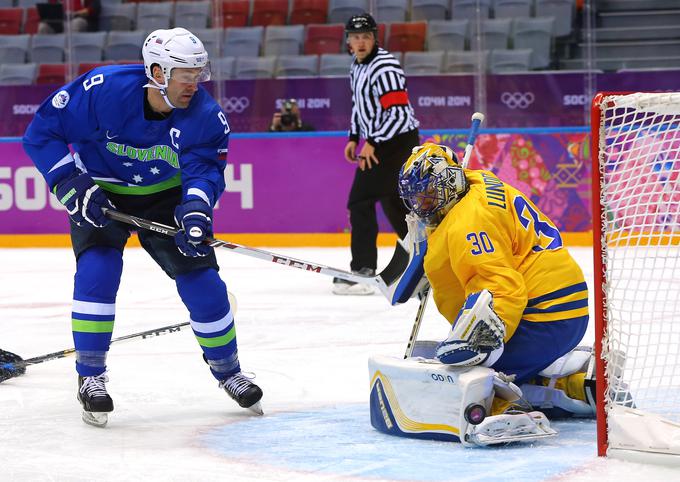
{"x": 380, "y": 105}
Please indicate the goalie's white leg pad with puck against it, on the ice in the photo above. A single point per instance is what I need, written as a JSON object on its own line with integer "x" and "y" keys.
{"x": 422, "y": 398}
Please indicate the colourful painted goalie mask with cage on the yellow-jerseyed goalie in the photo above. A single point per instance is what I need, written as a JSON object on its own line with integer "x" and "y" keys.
{"x": 431, "y": 180}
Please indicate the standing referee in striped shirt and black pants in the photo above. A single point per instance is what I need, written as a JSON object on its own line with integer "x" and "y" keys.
{"x": 383, "y": 116}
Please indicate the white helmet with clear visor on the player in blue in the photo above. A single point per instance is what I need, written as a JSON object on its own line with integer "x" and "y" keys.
{"x": 175, "y": 48}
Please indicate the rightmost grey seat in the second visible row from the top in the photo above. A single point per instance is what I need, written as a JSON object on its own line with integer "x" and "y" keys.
{"x": 535, "y": 34}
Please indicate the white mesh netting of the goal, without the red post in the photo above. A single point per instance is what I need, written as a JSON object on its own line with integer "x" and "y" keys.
{"x": 639, "y": 154}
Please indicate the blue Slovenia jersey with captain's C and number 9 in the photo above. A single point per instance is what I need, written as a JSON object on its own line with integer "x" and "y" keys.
{"x": 101, "y": 116}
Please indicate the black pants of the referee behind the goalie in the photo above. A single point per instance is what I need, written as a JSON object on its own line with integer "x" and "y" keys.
{"x": 378, "y": 184}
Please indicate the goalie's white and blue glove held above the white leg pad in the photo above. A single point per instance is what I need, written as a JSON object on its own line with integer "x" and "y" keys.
{"x": 476, "y": 337}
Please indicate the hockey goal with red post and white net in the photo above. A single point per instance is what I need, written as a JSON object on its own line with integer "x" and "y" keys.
{"x": 636, "y": 250}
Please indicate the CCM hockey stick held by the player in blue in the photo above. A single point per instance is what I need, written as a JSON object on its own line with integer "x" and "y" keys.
{"x": 387, "y": 281}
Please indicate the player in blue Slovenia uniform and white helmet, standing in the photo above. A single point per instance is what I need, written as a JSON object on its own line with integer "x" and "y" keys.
{"x": 152, "y": 142}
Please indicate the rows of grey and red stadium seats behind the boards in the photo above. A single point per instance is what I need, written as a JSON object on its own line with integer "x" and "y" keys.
{"x": 432, "y": 32}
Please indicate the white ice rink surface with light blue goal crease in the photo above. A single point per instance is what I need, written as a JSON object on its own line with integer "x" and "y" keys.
{"x": 309, "y": 350}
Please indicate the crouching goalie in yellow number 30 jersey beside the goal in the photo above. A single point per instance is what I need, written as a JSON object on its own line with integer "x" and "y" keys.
{"x": 517, "y": 301}
